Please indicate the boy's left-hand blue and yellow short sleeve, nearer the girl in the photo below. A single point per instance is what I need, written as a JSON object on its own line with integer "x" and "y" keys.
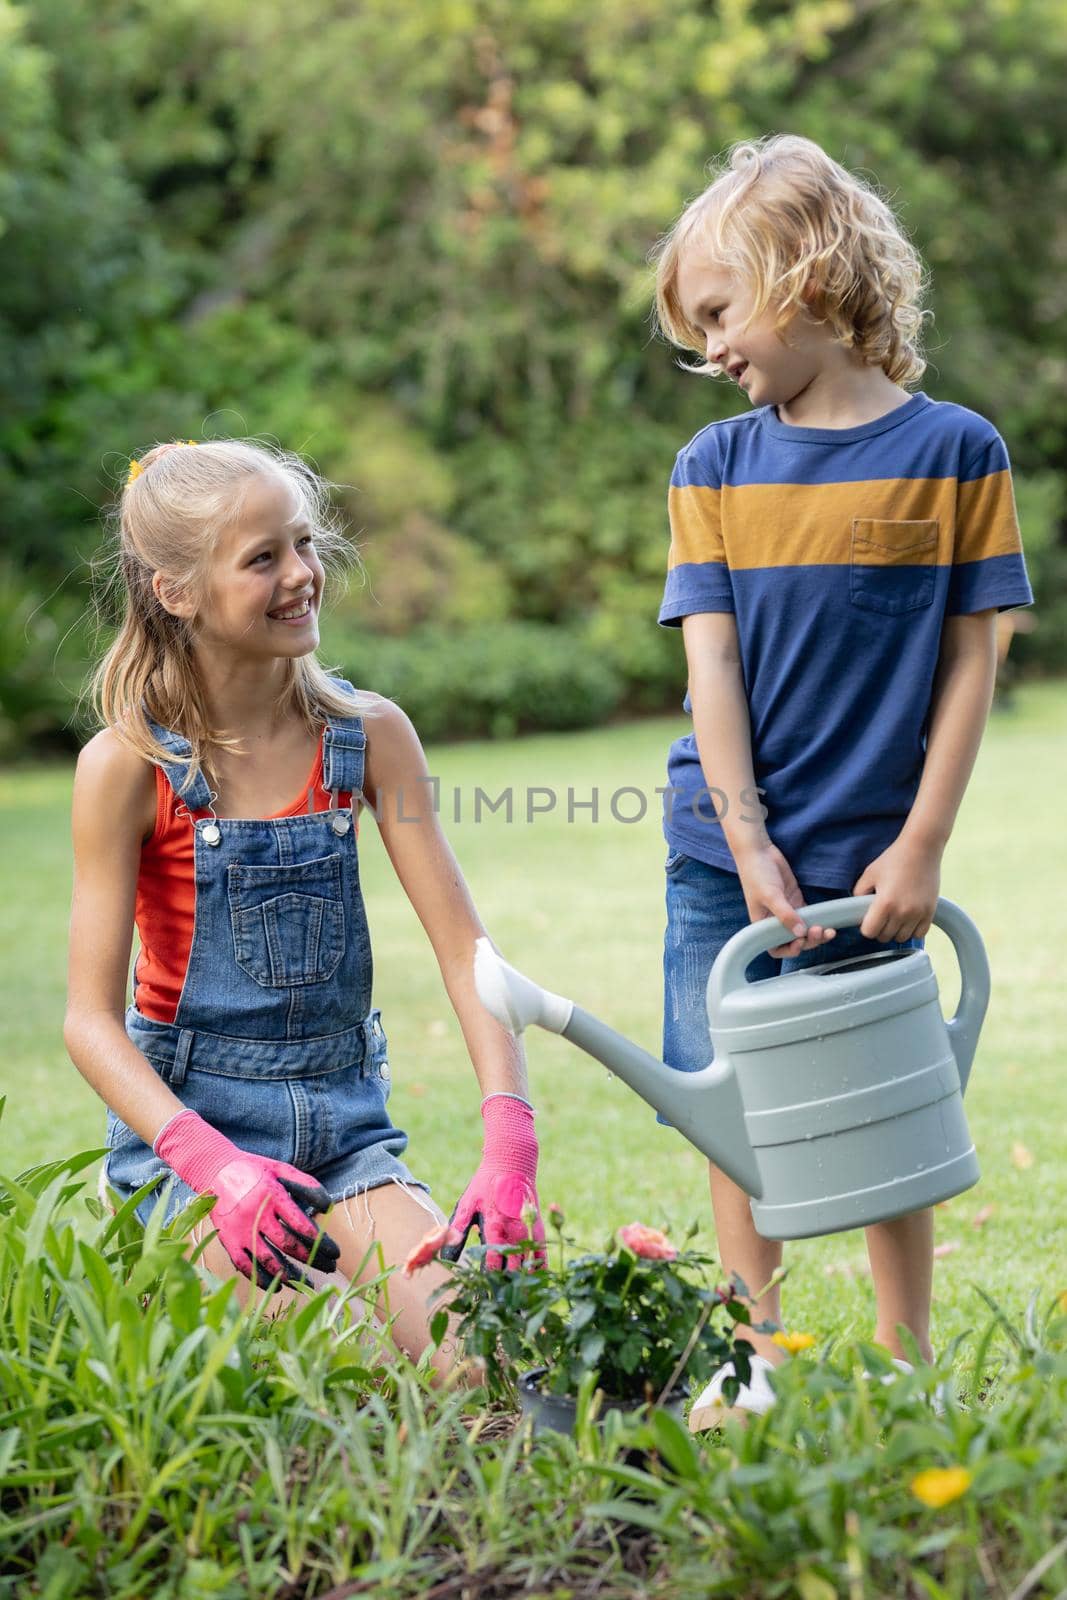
{"x": 698, "y": 577}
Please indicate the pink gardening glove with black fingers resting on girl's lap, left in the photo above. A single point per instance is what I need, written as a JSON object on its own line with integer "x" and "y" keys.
{"x": 257, "y": 1214}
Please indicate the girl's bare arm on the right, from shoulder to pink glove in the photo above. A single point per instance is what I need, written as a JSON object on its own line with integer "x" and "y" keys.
{"x": 430, "y": 873}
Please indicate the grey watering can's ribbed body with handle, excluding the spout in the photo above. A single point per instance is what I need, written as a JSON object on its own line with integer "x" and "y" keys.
{"x": 850, "y": 1078}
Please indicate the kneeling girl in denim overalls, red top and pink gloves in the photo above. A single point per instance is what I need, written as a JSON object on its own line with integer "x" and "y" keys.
{"x": 217, "y": 810}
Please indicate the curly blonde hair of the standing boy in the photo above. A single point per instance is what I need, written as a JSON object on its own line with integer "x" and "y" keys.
{"x": 789, "y": 220}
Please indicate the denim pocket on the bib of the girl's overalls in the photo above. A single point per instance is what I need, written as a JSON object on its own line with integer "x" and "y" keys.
{"x": 289, "y": 922}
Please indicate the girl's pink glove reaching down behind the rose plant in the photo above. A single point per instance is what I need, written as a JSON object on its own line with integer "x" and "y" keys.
{"x": 505, "y": 1185}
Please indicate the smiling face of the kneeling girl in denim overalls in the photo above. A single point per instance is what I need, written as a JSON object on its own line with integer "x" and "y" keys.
{"x": 265, "y": 566}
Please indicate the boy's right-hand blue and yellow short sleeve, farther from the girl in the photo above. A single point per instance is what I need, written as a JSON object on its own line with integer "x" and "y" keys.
{"x": 988, "y": 562}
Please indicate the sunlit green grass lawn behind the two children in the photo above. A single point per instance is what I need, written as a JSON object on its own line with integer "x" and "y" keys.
{"x": 580, "y": 908}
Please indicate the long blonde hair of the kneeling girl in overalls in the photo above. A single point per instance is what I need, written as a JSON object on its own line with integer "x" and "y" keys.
{"x": 169, "y": 519}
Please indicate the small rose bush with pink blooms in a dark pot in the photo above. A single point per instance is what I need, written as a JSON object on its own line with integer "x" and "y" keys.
{"x": 637, "y": 1319}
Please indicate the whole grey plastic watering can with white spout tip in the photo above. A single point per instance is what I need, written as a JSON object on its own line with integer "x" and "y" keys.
{"x": 834, "y": 1097}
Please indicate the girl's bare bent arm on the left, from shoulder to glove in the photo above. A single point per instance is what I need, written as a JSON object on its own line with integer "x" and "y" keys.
{"x": 113, "y": 790}
